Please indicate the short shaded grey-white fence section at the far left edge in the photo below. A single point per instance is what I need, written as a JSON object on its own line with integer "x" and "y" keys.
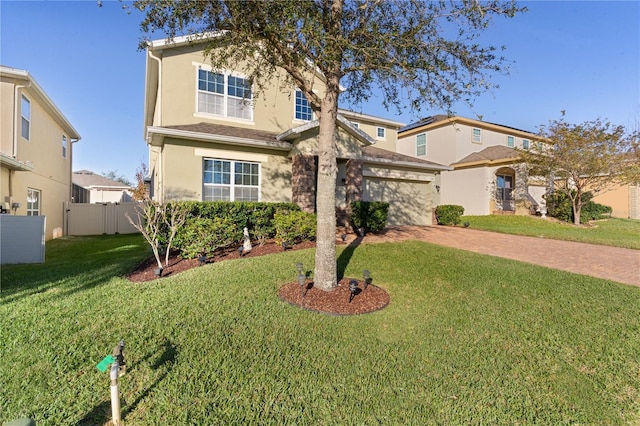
{"x": 21, "y": 239}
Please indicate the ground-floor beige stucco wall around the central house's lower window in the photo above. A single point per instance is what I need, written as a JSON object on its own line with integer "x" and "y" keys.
{"x": 182, "y": 169}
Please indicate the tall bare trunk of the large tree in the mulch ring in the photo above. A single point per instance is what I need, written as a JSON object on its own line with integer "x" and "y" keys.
{"x": 326, "y": 273}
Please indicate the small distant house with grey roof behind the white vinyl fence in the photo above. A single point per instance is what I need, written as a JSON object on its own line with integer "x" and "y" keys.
{"x": 89, "y": 187}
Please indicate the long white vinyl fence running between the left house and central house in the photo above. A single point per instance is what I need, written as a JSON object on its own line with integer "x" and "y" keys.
{"x": 99, "y": 219}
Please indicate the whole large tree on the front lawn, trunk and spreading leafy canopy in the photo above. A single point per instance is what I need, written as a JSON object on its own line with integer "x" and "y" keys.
{"x": 418, "y": 54}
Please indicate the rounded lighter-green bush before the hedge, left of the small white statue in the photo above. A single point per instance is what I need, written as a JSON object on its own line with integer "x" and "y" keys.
{"x": 205, "y": 235}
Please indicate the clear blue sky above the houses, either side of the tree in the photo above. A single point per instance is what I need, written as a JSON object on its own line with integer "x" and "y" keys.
{"x": 579, "y": 56}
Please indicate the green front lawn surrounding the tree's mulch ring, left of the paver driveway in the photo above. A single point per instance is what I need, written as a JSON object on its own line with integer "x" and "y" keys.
{"x": 466, "y": 339}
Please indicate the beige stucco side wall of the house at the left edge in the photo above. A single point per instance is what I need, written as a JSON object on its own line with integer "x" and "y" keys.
{"x": 51, "y": 173}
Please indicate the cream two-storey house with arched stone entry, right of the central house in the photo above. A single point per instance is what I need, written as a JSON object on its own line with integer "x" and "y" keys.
{"x": 487, "y": 177}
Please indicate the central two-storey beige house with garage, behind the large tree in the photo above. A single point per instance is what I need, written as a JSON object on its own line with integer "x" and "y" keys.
{"x": 210, "y": 138}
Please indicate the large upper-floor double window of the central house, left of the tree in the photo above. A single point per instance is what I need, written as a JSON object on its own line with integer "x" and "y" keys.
{"x": 213, "y": 99}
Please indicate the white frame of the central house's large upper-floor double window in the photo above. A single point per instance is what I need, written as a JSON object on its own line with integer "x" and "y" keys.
{"x": 247, "y": 103}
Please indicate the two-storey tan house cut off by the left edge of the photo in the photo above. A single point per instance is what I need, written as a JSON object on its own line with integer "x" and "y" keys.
{"x": 36, "y": 150}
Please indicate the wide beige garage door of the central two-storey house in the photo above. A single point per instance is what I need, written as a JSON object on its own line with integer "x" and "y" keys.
{"x": 409, "y": 202}
